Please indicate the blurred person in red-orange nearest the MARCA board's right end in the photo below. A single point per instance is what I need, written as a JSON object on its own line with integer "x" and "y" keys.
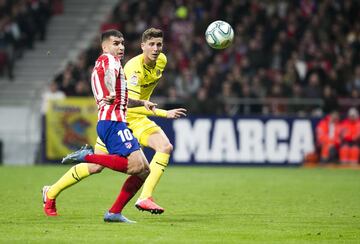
{"x": 328, "y": 133}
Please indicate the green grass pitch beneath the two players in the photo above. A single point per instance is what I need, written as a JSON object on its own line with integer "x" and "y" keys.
{"x": 203, "y": 205}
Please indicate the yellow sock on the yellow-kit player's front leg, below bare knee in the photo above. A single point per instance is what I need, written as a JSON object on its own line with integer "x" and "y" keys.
{"x": 157, "y": 167}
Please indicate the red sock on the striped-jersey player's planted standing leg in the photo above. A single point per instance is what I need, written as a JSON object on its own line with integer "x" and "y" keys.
{"x": 132, "y": 184}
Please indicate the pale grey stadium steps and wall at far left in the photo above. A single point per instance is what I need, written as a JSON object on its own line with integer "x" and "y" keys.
{"x": 68, "y": 32}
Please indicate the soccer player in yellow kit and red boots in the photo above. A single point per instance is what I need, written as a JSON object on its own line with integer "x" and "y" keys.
{"x": 143, "y": 73}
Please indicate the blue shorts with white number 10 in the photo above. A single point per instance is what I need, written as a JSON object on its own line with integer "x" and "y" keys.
{"x": 117, "y": 137}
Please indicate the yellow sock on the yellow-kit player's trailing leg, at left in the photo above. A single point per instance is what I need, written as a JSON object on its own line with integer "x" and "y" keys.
{"x": 72, "y": 176}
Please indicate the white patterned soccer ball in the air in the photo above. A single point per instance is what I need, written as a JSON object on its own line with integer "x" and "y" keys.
{"x": 219, "y": 34}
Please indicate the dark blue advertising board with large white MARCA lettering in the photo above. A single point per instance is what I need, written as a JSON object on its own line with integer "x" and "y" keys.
{"x": 239, "y": 140}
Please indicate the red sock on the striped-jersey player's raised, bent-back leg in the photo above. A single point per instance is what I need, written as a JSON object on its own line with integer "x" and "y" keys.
{"x": 114, "y": 162}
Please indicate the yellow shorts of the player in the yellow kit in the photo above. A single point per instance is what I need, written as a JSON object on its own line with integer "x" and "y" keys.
{"x": 141, "y": 127}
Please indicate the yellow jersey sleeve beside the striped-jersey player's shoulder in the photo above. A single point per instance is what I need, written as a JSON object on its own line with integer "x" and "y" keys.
{"x": 133, "y": 79}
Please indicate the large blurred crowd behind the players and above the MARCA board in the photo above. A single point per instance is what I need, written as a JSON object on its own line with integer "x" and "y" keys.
{"x": 283, "y": 50}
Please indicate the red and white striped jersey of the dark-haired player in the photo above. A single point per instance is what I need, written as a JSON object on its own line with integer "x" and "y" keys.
{"x": 117, "y": 110}
